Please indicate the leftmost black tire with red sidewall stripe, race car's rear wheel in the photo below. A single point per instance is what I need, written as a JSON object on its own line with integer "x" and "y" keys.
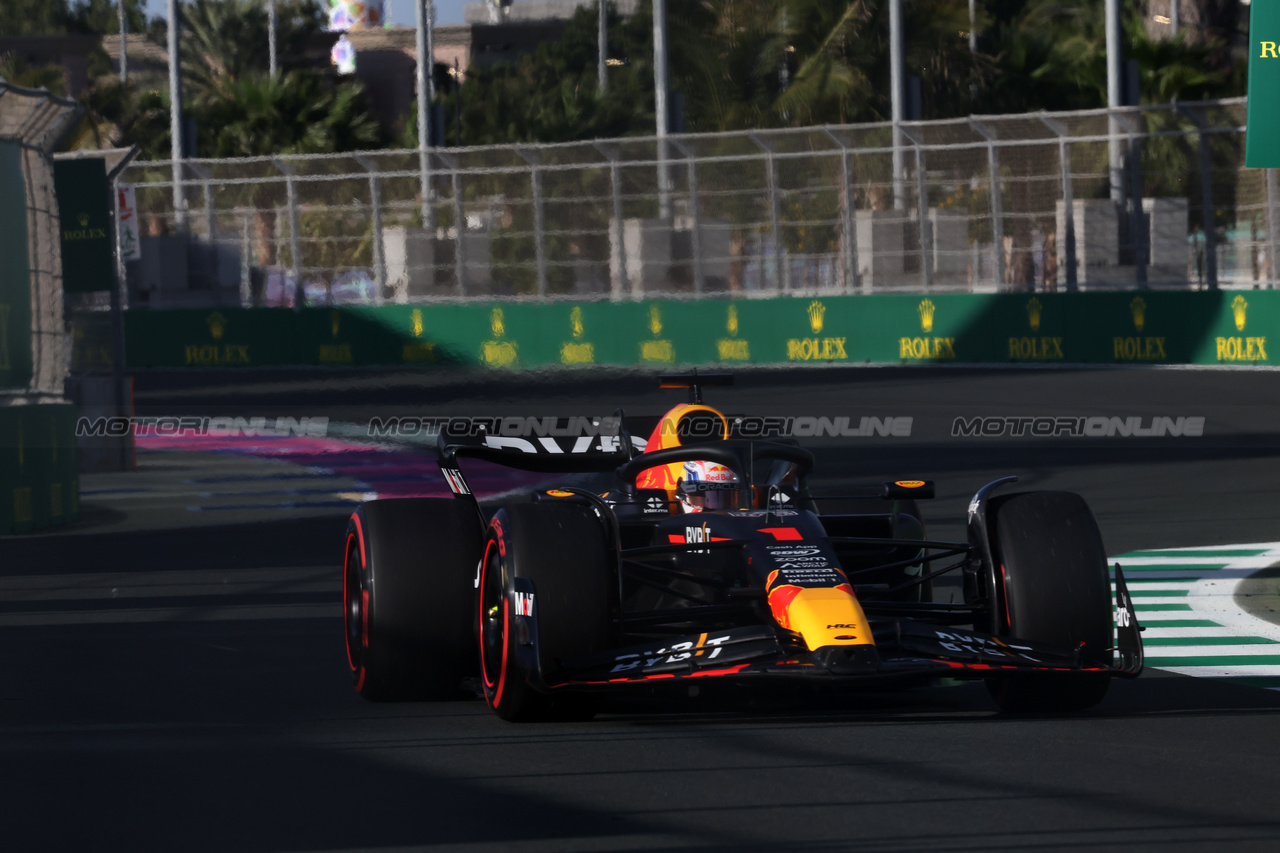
{"x": 409, "y": 590}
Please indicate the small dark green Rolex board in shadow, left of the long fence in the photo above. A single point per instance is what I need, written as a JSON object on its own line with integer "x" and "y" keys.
{"x": 85, "y": 221}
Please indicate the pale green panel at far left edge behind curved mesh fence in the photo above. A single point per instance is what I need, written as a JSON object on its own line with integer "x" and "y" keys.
{"x": 15, "y": 272}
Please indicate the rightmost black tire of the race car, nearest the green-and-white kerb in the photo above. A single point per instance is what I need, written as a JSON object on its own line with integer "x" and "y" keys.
{"x": 1054, "y": 568}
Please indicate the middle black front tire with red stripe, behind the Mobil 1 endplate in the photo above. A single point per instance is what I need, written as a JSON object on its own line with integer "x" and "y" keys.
{"x": 564, "y": 550}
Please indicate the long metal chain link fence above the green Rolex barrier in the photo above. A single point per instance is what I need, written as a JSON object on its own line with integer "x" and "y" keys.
{"x": 1153, "y": 197}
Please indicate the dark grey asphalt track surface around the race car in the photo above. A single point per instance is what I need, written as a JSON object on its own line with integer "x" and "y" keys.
{"x": 184, "y": 687}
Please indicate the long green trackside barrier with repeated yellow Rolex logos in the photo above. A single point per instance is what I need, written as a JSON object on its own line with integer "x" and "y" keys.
{"x": 1136, "y": 327}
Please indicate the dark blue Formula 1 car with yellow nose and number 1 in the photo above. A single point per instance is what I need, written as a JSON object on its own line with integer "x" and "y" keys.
{"x": 710, "y": 562}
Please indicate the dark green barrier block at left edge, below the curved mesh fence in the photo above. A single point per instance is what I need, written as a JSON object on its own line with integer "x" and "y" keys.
{"x": 39, "y": 468}
